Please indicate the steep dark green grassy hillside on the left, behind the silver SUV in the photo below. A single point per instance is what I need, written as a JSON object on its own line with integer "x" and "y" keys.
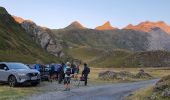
{"x": 17, "y": 45}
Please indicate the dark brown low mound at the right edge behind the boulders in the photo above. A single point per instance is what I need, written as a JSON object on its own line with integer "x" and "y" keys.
{"x": 148, "y": 59}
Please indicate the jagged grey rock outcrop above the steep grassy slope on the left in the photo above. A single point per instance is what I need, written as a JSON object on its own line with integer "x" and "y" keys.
{"x": 44, "y": 37}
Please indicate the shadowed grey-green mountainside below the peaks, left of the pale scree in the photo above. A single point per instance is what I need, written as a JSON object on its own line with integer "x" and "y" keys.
{"x": 115, "y": 39}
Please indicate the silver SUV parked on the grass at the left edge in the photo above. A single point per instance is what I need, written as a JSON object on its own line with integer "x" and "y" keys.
{"x": 18, "y": 73}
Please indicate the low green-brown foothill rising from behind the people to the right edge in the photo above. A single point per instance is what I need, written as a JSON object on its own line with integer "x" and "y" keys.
{"x": 119, "y": 58}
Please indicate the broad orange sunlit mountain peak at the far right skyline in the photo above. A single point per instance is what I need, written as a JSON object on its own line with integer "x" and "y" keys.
{"x": 147, "y": 26}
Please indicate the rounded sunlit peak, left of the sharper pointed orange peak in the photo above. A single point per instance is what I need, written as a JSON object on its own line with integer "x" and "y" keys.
{"x": 75, "y": 25}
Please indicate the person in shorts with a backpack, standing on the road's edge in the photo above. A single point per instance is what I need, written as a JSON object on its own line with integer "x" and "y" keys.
{"x": 67, "y": 79}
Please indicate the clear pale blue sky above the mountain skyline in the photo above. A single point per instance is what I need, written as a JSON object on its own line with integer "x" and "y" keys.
{"x": 90, "y": 13}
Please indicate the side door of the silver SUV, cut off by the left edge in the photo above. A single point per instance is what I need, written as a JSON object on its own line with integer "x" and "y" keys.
{"x": 3, "y": 73}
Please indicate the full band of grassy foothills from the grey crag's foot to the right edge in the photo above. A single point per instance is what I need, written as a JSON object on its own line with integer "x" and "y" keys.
{"x": 120, "y": 58}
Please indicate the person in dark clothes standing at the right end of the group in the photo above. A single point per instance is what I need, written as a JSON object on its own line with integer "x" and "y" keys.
{"x": 85, "y": 73}
